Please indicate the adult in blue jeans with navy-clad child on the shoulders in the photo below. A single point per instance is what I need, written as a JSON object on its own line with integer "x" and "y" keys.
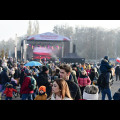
{"x": 105, "y": 69}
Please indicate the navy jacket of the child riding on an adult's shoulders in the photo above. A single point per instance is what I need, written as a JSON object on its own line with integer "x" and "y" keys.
{"x": 105, "y": 66}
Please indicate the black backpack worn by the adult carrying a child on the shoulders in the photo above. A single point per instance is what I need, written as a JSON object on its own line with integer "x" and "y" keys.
{"x": 101, "y": 82}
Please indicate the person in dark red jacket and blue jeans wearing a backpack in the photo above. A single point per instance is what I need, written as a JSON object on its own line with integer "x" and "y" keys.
{"x": 25, "y": 90}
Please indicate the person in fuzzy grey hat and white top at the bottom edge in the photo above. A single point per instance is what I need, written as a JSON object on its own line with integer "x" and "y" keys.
{"x": 90, "y": 93}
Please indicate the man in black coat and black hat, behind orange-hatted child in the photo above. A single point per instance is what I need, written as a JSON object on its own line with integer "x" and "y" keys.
{"x": 43, "y": 80}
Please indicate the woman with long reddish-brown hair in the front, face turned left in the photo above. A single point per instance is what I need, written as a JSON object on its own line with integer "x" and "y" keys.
{"x": 60, "y": 90}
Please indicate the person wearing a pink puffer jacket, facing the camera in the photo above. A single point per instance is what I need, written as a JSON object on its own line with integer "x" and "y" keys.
{"x": 83, "y": 81}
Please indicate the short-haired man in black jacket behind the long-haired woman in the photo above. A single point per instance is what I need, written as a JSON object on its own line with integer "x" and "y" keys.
{"x": 65, "y": 71}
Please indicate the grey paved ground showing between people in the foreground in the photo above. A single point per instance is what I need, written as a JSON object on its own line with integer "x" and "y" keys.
{"x": 114, "y": 88}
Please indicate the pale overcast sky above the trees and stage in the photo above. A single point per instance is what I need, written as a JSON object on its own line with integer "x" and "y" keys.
{"x": 8, "y": 28}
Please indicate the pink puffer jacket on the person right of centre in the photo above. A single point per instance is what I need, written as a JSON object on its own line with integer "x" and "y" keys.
{"x": 84, "y": 81}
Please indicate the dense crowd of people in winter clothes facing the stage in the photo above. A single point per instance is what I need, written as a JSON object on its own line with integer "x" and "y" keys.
{"x": 58, "y": 81}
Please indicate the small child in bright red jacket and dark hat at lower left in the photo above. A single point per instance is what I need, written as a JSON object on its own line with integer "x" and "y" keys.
{"x": 9, "y": 91}
